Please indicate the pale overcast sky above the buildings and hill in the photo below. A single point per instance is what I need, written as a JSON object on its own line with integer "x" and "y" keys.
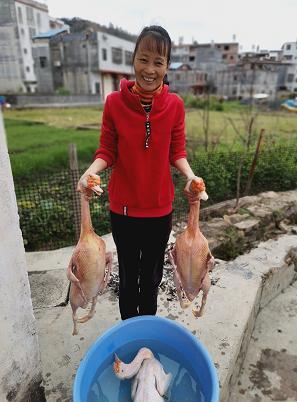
{"x": 264, "y": 23}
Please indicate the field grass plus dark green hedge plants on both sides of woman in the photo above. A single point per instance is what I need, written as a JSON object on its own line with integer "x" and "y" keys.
{"x": 38, "y": 146}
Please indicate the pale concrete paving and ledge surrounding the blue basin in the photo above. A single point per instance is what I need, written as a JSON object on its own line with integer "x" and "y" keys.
{"x": 241, "y": 288}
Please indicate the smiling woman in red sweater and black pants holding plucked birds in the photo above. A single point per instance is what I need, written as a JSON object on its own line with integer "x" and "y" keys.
{"x": 142, "y": 135}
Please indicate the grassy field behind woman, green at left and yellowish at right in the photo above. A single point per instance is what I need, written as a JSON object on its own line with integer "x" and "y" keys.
{"x": 38, "y": 139}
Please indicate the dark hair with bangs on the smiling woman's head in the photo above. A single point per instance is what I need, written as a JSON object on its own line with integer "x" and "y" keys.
{"x": 158, "y": 39}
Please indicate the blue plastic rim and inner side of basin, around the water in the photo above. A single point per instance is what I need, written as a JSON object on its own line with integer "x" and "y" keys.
{"x": 157, "y": 328}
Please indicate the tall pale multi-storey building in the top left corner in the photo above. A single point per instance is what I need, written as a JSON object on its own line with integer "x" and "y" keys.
{"x": 20, "y": 20}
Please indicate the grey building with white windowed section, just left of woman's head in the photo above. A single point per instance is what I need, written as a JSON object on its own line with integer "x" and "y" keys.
{"x": 81, "y": 62}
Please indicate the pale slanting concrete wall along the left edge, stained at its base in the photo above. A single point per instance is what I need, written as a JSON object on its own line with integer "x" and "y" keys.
{"x": 20, "y": 368}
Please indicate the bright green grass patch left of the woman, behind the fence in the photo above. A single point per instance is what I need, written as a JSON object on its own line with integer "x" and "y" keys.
{"x": 41, "y": 148}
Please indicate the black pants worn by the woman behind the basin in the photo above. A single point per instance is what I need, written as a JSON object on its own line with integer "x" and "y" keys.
{"x": 141, "y": 244}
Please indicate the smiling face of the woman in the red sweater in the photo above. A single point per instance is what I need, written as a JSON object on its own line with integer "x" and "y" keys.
{"x": 150, "y": 67}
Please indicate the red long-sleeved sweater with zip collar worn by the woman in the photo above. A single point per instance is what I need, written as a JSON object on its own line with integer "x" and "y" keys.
{"x": 141, "y": 183}
